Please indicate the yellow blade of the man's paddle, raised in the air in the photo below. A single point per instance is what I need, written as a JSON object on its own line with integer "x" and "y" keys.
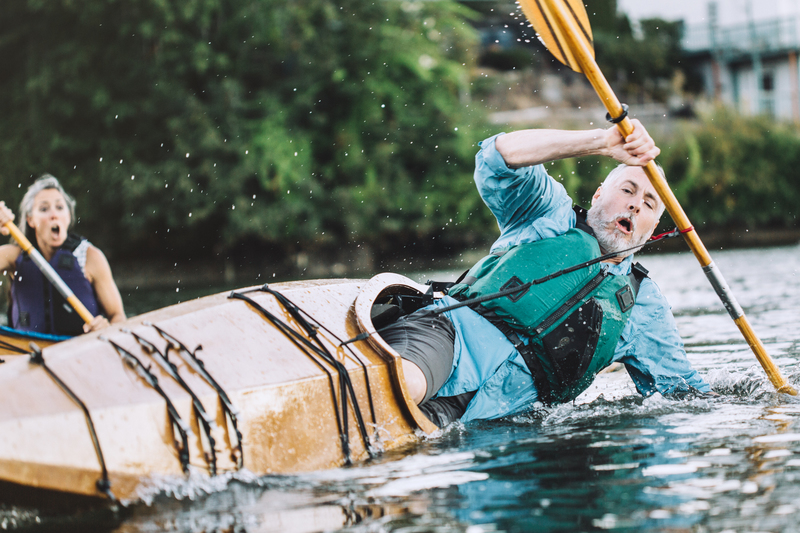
{"x": 542, "y": 15}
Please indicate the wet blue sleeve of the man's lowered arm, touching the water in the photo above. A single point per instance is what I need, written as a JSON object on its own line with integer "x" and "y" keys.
{"x": 652, "y": 349}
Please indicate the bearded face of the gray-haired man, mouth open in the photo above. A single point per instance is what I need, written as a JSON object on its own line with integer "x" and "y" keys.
{"x": 624, "y": 213}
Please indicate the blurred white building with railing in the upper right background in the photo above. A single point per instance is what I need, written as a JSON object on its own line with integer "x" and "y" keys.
{"x": 751, "y": 62}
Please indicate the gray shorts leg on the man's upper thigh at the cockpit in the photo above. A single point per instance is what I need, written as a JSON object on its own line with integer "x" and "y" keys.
{"x": 427, "y": 341}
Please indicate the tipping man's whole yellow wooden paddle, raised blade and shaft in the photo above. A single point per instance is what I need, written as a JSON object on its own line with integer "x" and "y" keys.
{"x": 563, "y": 27}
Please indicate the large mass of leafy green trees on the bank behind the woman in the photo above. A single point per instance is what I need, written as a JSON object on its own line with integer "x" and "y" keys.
{"x": 201, "y": 124}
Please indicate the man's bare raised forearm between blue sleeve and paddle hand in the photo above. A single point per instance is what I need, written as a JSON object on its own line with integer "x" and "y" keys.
{"x": 531, "y": 147}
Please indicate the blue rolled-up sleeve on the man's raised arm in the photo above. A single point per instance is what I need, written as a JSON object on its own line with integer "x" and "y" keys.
{"x": 528, "y": 204}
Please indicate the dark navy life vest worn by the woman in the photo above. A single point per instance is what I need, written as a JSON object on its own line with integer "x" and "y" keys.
{"x": 36, "y": 305}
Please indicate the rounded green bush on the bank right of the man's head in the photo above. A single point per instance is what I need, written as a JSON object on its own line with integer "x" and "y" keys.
{"x": 730, "y": 171}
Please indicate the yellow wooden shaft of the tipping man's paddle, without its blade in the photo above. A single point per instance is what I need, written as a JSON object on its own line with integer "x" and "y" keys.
{"x": 595, "y": 76}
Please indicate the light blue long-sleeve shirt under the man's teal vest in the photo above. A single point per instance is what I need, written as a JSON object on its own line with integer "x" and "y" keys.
{"x": 529, "y": 205}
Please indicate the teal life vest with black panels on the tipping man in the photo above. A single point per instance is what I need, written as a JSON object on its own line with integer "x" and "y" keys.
{"x": 573, "y": 321}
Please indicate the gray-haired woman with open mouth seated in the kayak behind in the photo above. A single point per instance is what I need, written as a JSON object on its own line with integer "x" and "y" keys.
{"x": 35, "y": 305}
